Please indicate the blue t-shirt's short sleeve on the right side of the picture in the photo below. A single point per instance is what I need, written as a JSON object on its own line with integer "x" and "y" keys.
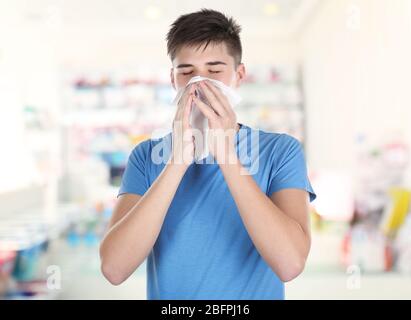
{"x": 289, "y": 170}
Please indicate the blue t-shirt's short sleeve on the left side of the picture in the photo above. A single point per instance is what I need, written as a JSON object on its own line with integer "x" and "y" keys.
{"x": 134, "y": 178}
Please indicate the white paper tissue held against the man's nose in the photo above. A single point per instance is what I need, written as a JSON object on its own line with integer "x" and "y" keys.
{"x": 198, "y": 120}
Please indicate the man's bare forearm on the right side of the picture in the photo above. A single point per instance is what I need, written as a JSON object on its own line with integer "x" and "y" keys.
{"x": 278, "y": 238}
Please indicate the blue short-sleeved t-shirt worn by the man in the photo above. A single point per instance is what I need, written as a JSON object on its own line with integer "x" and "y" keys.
{"x": 203, "y": 250}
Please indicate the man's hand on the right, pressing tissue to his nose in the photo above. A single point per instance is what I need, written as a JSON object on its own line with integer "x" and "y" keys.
{"x": 222, "y": 122}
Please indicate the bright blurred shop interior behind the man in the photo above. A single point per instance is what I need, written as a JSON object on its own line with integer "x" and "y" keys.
{"x": 83, "y": 82}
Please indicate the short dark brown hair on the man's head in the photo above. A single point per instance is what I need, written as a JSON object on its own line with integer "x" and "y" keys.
{"x": 205, "y": 26}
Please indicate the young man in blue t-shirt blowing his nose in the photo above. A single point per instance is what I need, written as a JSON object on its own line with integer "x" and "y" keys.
{"x": 209, "y": 231}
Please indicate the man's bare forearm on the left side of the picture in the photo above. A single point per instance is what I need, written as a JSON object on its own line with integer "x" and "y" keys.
{"x": 131, "y": 239}
